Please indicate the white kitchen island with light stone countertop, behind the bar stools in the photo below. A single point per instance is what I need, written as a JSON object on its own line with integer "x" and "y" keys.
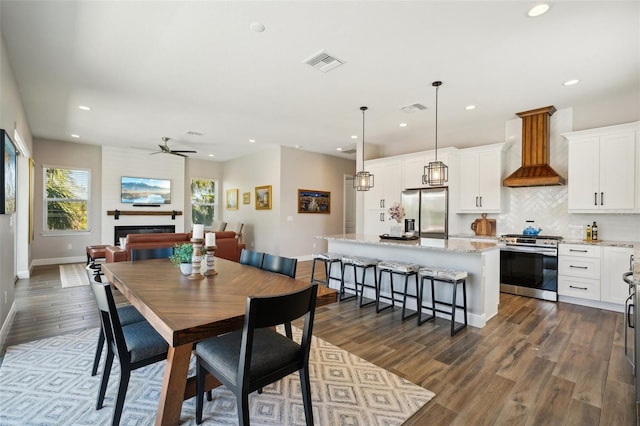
{"x": 481, "y": 260}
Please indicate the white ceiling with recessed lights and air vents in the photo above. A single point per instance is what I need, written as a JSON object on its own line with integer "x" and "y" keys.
{"x": 151, "y": 69}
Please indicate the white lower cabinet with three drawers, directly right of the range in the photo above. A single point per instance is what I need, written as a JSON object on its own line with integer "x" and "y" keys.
{"x": 579, "y": 271}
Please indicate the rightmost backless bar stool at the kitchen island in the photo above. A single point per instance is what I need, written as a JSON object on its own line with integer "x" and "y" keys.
{"x": 445, "y": 276}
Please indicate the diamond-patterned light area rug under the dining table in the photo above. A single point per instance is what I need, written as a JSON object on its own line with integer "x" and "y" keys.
{"x": 48, "y": 382}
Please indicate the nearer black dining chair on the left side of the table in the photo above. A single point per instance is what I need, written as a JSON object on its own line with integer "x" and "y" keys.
{"x": 136, "y": 345}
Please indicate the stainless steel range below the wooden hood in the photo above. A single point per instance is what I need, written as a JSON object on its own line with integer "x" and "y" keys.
{"x": 529, "y": 265}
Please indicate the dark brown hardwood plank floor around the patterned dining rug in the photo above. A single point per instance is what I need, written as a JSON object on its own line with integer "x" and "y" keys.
{"x": 536, "y": 363}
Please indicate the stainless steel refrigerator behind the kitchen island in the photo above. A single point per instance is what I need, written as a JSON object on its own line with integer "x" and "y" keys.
{"x": 429, "y": 207}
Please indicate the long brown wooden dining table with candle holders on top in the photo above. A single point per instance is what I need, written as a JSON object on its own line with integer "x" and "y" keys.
{"x": 185, "y": 310}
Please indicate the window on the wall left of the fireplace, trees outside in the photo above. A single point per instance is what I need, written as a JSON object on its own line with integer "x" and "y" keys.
{"x": 66, "y": 199}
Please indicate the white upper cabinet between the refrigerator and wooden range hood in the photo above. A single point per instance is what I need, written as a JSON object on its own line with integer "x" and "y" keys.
{"x": 481, "y": 171}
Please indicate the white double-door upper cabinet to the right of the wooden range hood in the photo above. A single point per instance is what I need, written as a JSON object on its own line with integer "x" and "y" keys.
{"x": 603, "y": 169}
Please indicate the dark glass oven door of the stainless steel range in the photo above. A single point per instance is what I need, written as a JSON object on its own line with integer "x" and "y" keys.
{"x": 529, "y": 271}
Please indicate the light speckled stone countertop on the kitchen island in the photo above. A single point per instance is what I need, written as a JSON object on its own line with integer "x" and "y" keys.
{"x": 455, "y": 245}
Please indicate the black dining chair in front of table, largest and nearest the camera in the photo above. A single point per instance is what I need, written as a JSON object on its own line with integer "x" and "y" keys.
{"x": 256, "y": 356}
